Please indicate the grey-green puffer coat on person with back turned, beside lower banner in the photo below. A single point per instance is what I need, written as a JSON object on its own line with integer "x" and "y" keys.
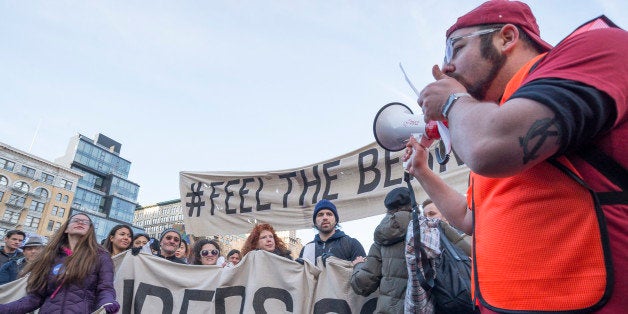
{"x": 385, "y": 266}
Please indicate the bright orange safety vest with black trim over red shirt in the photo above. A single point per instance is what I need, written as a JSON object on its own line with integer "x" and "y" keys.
{"x": 540, "y": 239}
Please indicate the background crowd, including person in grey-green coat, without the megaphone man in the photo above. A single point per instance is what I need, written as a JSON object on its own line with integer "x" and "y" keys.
{"x": 56, "y": 273}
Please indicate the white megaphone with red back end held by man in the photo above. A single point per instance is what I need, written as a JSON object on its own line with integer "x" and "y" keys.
{"x": 395, "y": 123}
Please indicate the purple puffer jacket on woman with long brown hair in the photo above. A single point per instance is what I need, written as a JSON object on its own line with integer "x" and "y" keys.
{"x": 97, "y": 289}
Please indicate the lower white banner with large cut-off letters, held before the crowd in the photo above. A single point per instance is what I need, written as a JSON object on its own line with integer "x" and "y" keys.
{"x": 261, "y": 283}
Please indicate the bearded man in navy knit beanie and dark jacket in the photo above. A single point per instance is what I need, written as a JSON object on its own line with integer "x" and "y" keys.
{"x": 330, "y": 241}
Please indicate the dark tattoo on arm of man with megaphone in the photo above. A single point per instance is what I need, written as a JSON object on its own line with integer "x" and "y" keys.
{"x": 538, "y": 134}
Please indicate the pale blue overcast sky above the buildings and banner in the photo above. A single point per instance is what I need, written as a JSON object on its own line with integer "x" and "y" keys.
{"x": 226, "y": 85}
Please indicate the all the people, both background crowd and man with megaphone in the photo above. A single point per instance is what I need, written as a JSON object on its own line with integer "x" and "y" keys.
{"x": 543, "y": 132}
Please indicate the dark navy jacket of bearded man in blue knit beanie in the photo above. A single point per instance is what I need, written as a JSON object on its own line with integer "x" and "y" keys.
{"x": 339, "y": 245}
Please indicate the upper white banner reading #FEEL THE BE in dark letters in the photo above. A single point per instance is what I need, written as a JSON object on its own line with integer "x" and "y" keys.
{"x": 216, "y": 203}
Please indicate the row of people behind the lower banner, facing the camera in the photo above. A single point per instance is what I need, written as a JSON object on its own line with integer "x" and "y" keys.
{"x": 74, "y": 273}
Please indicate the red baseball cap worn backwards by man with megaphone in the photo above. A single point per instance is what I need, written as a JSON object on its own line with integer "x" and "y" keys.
{"x": 502, "y": 12}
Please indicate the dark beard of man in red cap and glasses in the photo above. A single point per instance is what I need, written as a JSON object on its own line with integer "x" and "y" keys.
{"x": 479, "y": 88}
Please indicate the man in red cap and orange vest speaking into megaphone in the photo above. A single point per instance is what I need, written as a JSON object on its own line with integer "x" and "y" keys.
{"x": 543, "y": 131}
